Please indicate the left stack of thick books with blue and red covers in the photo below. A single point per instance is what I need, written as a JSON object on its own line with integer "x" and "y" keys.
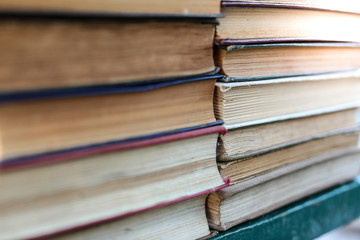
{"x": 106, "y": 119}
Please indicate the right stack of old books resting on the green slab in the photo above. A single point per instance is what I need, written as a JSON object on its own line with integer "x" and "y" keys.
{"x": 288, "y": 99}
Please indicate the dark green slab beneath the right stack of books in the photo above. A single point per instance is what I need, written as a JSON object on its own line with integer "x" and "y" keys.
{"x": 326, "y": 210}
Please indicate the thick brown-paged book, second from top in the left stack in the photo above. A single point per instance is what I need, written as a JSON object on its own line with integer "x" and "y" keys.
{"x": 54, "y": 52}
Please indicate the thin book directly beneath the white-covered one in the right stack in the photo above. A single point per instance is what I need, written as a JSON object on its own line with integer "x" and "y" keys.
{"x": 258, "y": 139}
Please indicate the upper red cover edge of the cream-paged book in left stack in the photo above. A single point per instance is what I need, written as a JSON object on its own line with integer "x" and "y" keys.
{"x": 81, "y": 153}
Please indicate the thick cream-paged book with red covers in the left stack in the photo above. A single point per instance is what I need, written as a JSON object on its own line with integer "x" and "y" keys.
{"x": 113, "y": 184}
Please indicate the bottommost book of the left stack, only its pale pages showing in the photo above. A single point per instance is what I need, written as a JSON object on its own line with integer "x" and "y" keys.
{"x": 184, "y": 220}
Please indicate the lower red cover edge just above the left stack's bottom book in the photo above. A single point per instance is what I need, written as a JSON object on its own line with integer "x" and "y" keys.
{"x": 117, "y": 217}
